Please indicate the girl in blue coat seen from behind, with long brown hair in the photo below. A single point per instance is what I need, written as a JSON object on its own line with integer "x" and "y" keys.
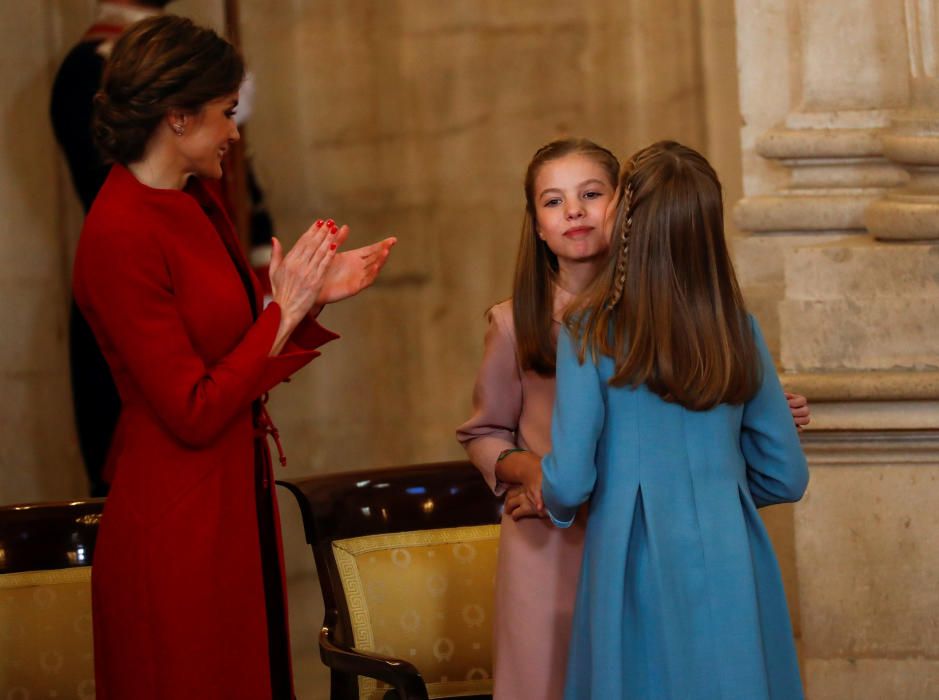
{"x": 670, "y": 420}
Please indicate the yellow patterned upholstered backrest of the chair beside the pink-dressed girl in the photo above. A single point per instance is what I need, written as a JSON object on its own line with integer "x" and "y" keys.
{"x": 425, "y": 596}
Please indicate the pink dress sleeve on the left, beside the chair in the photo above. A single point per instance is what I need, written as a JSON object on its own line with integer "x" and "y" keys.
{"x": 497, "y": 399}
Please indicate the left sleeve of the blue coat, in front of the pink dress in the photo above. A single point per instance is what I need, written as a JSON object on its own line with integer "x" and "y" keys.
{"x": 569, "y": 471}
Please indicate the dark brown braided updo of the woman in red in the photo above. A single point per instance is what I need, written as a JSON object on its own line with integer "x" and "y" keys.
{"x": 157, "y": 65}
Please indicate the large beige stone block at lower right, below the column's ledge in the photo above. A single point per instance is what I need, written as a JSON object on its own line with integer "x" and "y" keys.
{"x": 867, "y": 560}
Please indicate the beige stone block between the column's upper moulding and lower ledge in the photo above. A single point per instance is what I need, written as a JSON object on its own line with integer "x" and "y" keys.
{"x": 884, "y": 333}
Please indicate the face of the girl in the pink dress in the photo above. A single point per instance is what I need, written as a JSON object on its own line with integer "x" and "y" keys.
{"x": 572, "y": 195}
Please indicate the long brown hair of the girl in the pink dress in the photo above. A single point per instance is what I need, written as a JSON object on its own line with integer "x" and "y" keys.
{"x": 536, "y": 267}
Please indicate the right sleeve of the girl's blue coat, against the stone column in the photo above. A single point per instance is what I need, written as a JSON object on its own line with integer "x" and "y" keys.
{"x": 777, "y": 471}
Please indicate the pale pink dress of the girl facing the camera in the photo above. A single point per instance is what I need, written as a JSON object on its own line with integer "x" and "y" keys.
{"x": 536, "y": 581}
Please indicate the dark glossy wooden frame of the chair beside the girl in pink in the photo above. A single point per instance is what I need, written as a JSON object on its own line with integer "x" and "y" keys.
{"x": 352, "y": 504}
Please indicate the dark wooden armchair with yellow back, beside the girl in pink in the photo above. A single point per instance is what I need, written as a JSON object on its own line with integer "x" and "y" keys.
{"x": 406, "y": 559}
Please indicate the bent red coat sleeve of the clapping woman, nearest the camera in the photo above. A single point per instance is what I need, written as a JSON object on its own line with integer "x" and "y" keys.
{"x": 123, "y": 285}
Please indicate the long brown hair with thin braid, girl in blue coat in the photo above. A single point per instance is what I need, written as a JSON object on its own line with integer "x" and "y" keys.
{"x": 667, "y": 308}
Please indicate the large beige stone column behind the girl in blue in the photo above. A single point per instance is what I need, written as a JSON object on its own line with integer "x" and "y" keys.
{"x": 841, "y": 116}
